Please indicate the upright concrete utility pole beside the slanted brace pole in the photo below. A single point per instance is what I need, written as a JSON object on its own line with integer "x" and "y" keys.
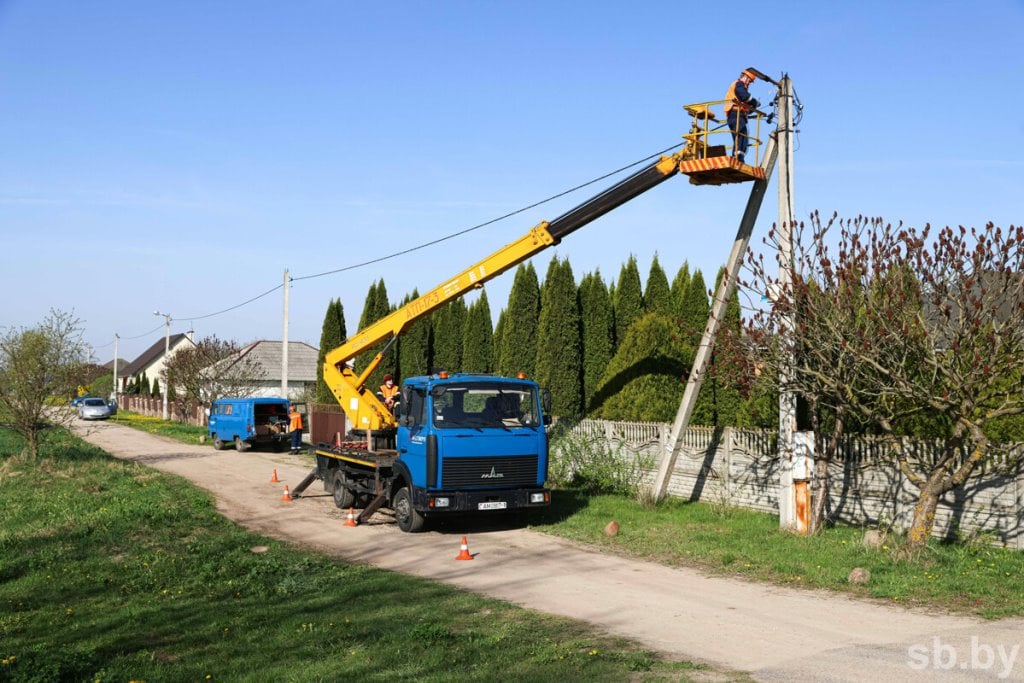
{"x": 794, "y": 498}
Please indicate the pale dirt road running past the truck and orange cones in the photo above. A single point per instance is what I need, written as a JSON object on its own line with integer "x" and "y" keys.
{"x": 777, "y": 634}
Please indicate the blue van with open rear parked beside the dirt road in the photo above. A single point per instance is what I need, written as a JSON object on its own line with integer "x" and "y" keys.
{"x": 249, "y": 422}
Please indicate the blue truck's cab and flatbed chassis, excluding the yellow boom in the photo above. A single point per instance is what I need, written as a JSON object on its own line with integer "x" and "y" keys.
{"x": 464, "y": 444}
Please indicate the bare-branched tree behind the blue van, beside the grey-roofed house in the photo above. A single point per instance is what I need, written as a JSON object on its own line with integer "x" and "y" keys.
{"x": 211, "y": 369}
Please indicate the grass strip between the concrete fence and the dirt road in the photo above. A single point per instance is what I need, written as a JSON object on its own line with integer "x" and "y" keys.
{"x": 968, "y": 578}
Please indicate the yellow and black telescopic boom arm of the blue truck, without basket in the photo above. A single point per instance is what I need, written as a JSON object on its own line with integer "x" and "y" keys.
{"x": 362, "y": 407}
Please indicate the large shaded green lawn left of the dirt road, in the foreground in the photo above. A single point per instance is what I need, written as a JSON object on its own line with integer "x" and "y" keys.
{"x": 113, "y": 572}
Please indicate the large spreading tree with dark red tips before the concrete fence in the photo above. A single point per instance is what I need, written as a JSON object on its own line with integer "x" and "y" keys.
{"x": 907, "y": 331}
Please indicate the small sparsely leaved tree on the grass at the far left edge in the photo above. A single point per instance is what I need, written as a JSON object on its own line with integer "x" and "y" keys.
{"x": 40, "y": 368}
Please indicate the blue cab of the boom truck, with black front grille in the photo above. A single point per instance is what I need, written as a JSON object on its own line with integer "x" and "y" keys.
{"x": 473, "y": 443}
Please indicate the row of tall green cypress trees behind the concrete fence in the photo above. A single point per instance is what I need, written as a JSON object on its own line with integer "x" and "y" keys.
{"x": 618, "y": 352}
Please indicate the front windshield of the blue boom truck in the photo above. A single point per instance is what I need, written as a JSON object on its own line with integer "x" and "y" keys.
{"x": 486, "y": 405}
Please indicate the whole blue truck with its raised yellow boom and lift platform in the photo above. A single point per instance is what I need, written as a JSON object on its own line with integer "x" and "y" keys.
{"x": 461, "y": 443}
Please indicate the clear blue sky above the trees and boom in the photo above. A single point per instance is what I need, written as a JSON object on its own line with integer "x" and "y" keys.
{"x": 180, "y": 156}
